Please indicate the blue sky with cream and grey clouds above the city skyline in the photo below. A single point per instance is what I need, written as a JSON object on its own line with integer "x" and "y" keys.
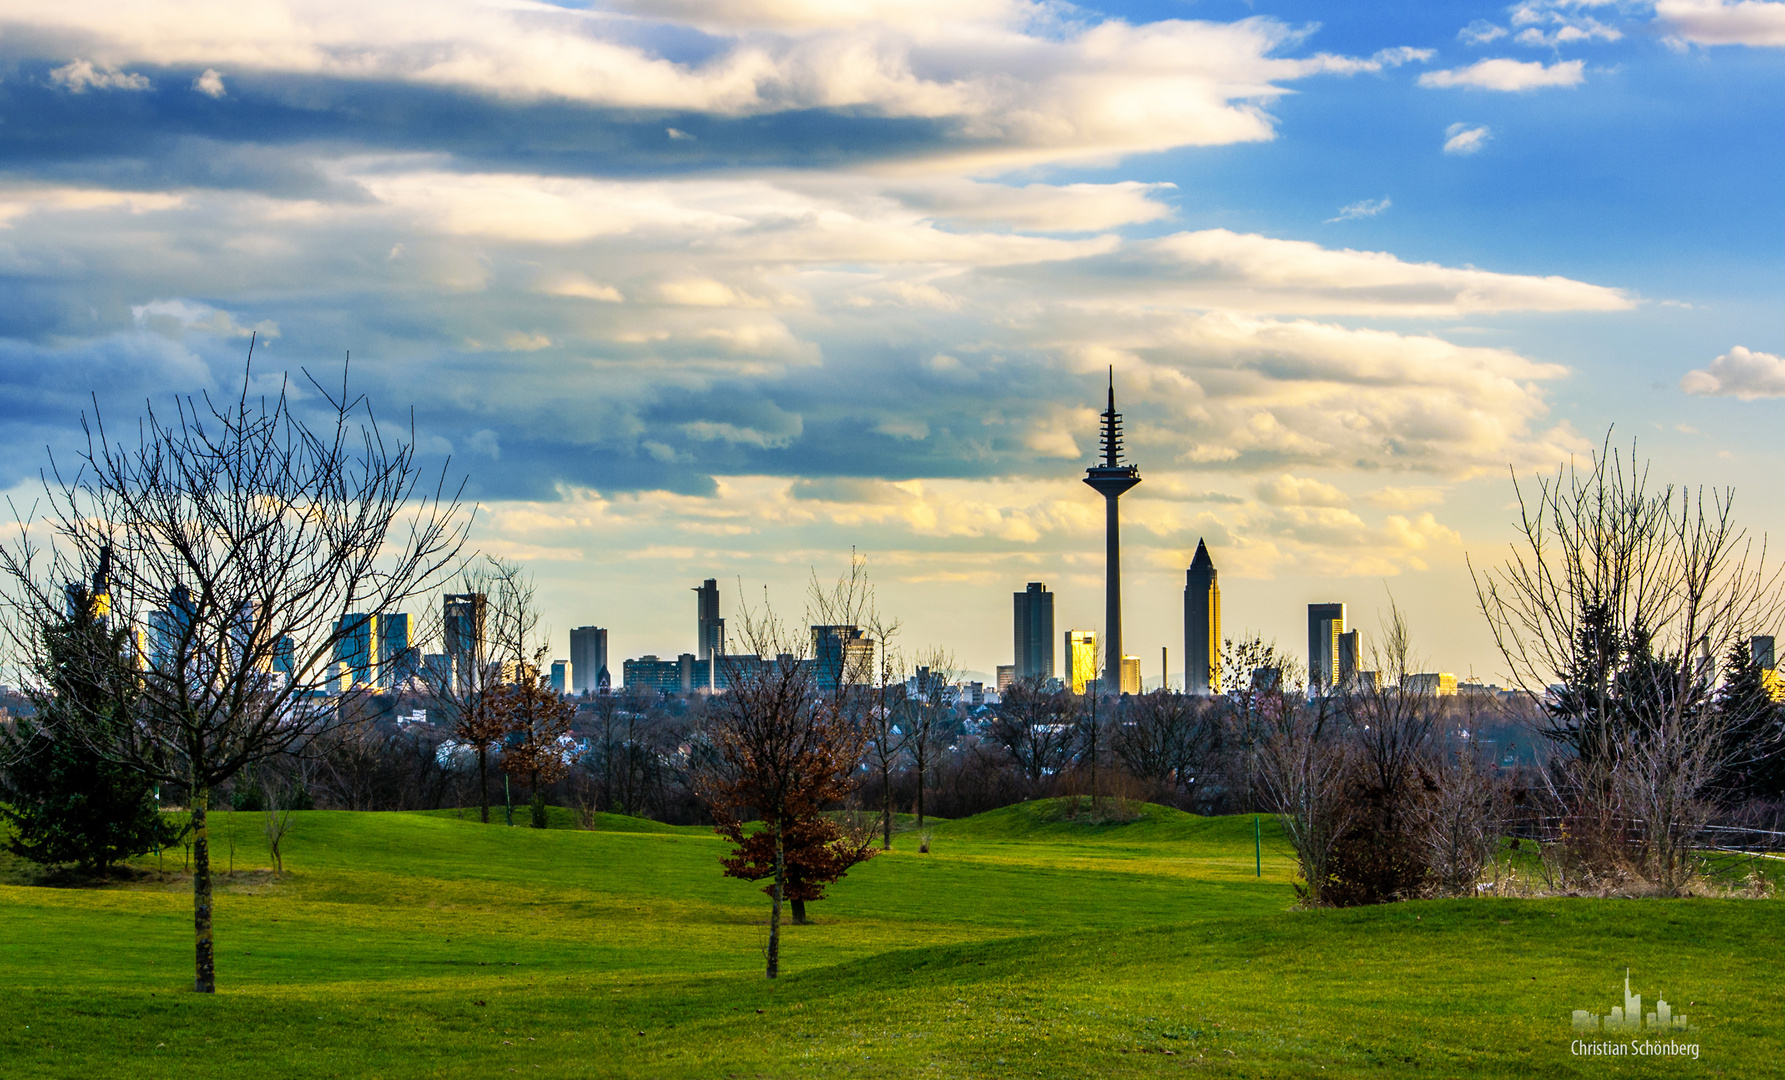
{"x": 733, "y": 288}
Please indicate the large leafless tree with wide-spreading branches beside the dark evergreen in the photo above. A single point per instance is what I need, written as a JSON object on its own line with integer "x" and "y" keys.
{"x": 238, "y": 536}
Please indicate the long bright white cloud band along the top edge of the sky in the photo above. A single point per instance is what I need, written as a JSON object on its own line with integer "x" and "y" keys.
{"x": 1006, "y": 81}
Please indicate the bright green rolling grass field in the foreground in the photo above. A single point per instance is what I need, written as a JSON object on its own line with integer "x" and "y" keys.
{"x": 431, "y": 945}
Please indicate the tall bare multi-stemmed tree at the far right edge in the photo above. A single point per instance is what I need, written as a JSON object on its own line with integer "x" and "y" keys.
{"x": 1622, "y": 595}
